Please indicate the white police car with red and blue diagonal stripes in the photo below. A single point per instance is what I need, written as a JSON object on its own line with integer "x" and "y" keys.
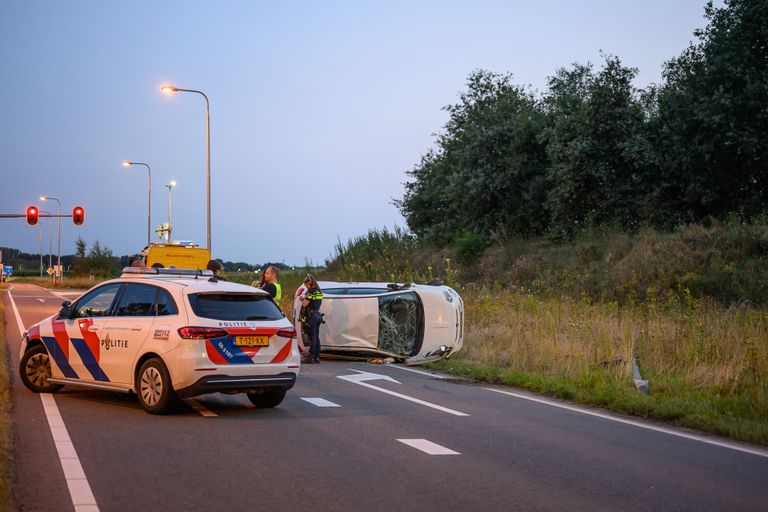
{"x": 165, "y": 334}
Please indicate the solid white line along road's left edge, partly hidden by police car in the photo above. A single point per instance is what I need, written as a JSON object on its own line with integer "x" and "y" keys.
{"x": 77, "y": 483}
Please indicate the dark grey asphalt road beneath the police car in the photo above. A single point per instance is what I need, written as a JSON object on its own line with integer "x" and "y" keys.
{"x": 366, "y": 442}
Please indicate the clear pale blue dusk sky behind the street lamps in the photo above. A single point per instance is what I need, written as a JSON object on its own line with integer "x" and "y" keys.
{"x": 317, "y": 108}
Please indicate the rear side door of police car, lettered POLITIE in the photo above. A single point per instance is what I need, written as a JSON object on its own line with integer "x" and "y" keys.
{"x": 127, "y": 330}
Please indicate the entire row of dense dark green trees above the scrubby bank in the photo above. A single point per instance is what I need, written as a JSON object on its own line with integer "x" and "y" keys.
{"x": 592, "y": 149}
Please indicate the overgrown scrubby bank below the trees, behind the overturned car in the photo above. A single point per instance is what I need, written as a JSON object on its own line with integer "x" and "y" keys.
{"x": 724, "y": 262}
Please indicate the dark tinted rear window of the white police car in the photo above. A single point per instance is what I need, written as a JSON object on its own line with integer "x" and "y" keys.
{"x": 231, "y": 306}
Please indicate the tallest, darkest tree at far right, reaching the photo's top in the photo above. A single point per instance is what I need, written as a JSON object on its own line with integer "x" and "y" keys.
{"x": 712, "y": 122}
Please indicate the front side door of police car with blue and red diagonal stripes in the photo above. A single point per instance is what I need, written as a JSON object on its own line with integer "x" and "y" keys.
{"x": 83, "y": 328}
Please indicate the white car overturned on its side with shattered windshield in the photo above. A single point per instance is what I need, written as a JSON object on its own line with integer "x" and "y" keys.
{"x": 411, "y": 323}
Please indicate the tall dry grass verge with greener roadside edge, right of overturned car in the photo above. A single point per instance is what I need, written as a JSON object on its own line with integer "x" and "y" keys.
{"x": 707, "y": 366}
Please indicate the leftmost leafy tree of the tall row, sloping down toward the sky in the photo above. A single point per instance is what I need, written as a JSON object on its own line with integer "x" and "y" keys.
{"x": 488, "y": 172}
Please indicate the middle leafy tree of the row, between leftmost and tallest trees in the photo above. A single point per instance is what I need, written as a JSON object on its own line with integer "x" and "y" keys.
{"x": 597, "y": 147}
